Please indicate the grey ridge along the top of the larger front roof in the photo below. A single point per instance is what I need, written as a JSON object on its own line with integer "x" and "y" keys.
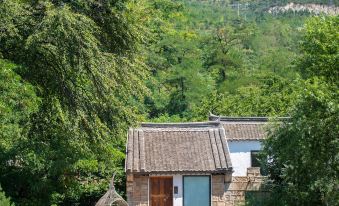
{"x": 181, "y": 124}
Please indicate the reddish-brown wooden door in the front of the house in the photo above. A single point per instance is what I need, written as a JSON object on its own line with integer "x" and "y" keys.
{"x": 161, "y": 193}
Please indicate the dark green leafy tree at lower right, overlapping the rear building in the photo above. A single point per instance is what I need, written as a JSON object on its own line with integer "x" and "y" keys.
{"x": 303, "y": 152}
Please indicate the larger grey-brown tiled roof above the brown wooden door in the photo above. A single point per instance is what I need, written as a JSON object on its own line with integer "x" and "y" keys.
{"x": 178, "y": 148}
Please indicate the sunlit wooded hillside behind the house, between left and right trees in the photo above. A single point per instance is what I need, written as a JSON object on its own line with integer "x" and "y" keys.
{"x": 207, "y": 58}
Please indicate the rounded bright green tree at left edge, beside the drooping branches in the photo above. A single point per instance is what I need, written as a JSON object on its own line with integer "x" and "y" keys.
{"x": 18, "y": 100}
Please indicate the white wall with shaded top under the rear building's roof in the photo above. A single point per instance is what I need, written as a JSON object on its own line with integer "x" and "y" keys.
{"x": 240, "y": 152}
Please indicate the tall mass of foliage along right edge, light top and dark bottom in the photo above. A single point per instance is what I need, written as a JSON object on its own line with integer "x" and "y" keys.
{"x": 304, "y": 164}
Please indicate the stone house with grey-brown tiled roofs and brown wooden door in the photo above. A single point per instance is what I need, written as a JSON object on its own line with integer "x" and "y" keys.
{"x": 194, "y": 164}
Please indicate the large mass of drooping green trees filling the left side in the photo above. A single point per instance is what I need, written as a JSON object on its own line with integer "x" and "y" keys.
{"x": 70, "y": 87}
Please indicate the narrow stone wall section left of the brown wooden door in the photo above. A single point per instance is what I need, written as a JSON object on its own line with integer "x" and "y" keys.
{"x": 137, "y": 190}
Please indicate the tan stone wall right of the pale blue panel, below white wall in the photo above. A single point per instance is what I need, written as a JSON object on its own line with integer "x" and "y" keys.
{"x": 232, "y": 193}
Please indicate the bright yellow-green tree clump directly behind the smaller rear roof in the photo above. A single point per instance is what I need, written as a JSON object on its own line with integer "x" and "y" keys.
{"x": 273, "y": 96}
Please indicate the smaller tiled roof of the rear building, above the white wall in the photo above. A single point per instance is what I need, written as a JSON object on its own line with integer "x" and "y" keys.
{"x": 244, "y": 128}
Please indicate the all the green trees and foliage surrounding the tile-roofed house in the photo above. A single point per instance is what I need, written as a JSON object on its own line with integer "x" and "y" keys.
{"x": 76, "y": 74}
